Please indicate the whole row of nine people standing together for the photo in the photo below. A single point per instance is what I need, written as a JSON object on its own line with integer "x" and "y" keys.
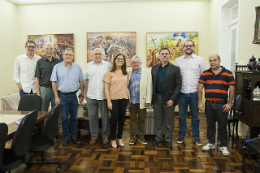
{"x": 113, "y": 88}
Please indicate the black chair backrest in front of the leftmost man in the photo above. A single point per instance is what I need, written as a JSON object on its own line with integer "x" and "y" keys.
{"x": 30, "y": 102}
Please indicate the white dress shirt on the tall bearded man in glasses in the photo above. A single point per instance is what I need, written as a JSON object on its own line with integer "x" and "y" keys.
{"x": 191, "y": 69}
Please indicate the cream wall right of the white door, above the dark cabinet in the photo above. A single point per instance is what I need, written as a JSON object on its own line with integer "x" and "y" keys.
{"x": 246, "y": 31}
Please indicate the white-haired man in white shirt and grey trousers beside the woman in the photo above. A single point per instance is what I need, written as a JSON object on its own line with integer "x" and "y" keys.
{"x": 96, "y": 98}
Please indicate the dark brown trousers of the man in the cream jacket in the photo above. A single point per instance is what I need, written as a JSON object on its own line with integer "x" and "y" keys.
{"x": 134, "y": 111}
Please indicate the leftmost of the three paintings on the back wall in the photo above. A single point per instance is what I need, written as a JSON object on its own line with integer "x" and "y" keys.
{"x": 60, "y": 42}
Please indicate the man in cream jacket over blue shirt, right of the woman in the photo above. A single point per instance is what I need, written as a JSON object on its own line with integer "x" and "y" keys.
{"x": 140, "y": 90}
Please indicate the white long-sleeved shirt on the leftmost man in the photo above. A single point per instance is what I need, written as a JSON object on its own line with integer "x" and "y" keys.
{"x": 24, "y": 71}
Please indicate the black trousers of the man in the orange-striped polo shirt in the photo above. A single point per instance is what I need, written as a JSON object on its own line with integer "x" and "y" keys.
{"x": 214, "y": 113}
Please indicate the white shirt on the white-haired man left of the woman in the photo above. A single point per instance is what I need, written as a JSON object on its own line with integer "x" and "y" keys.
{"x": 95, "y": 74}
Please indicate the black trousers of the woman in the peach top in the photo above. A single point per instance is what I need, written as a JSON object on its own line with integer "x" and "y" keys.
{"x": 118, "y": 117}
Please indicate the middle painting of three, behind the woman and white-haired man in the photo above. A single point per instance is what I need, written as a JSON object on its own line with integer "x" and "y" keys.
{"x": 112, "y": 43}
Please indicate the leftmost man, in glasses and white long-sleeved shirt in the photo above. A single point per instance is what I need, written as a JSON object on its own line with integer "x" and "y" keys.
{"x": 24, "y": 69}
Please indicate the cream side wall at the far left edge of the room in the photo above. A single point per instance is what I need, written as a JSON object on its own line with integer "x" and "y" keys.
{"x": 8, "y": 46}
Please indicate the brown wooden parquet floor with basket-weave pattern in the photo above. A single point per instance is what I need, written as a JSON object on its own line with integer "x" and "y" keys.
{"x": 181, "y": 158}
